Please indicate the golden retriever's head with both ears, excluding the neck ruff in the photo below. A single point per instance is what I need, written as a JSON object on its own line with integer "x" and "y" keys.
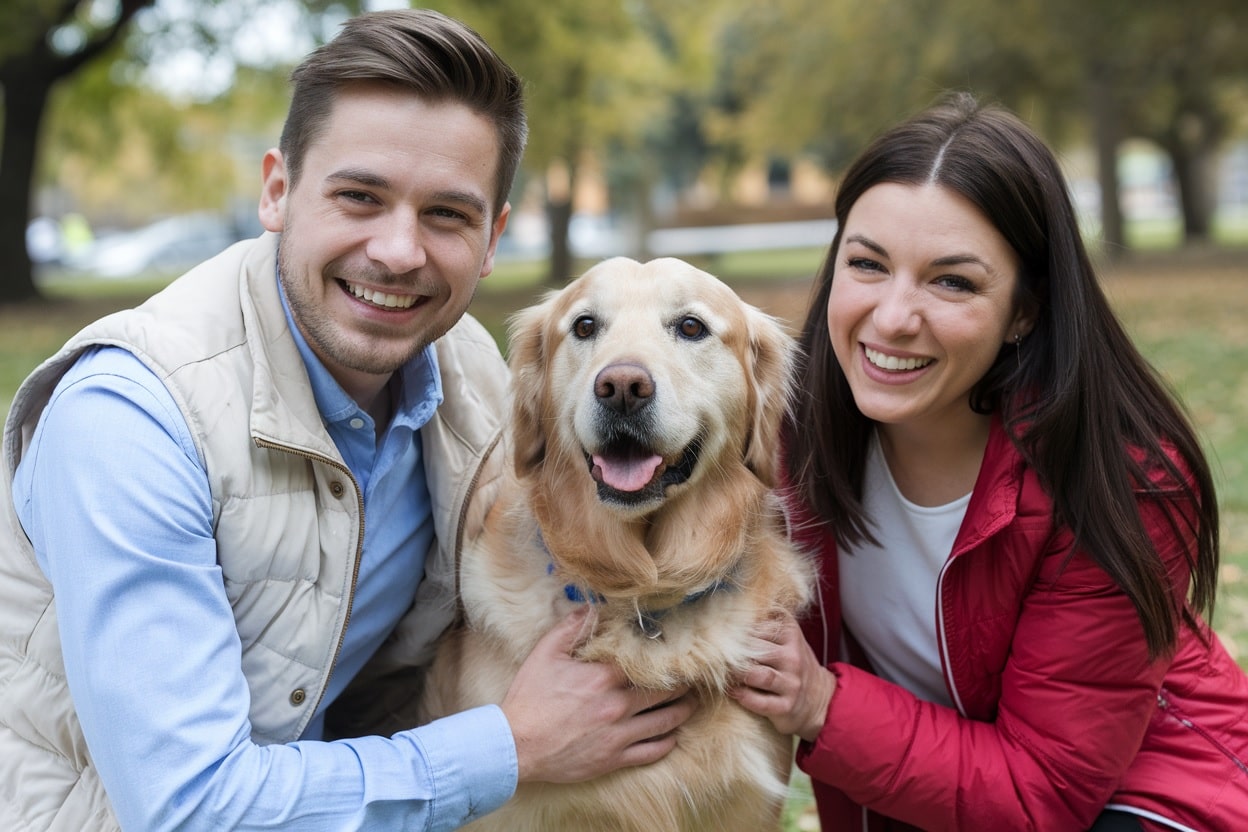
{"x": 651, "y": 377}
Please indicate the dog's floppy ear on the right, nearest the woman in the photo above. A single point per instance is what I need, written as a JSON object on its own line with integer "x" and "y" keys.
{"x": 771, "y": 367}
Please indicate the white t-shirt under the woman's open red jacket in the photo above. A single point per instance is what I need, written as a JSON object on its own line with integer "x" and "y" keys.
{"x": 889, "y": 591}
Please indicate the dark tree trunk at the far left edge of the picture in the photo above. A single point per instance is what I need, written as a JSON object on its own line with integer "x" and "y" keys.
{"x": 24, "y": 104}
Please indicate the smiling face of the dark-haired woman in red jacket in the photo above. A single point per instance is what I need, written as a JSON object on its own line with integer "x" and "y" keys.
{"x": 923, "y": 299}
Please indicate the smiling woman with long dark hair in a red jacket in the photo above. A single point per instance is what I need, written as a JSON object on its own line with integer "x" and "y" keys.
{"x": 1018, "y": 528}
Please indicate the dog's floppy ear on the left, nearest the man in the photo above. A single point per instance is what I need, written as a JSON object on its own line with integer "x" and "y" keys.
{"x": 527, "y": 359}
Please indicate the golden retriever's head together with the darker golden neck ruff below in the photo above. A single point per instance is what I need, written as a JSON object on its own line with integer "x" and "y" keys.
{"x": 636, "y": 386}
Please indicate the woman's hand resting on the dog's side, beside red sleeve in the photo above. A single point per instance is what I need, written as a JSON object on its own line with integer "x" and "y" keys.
{"x": 787, "y": 684}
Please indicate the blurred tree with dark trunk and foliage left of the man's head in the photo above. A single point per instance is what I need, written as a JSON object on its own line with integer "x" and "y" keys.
{"x": 89, "y": 64}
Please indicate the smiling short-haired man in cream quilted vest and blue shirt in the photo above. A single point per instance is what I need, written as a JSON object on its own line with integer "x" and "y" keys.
{"x": 249, "y": 493}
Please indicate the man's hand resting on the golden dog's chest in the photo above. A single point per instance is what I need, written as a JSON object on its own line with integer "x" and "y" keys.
{"x": 575, "y": 720}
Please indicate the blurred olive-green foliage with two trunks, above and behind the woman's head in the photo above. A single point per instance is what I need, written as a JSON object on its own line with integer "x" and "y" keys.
{"x": 822, "y": 77}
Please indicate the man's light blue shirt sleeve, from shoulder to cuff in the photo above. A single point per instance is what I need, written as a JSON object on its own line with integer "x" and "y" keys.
{"x": 118, "y": 507}
